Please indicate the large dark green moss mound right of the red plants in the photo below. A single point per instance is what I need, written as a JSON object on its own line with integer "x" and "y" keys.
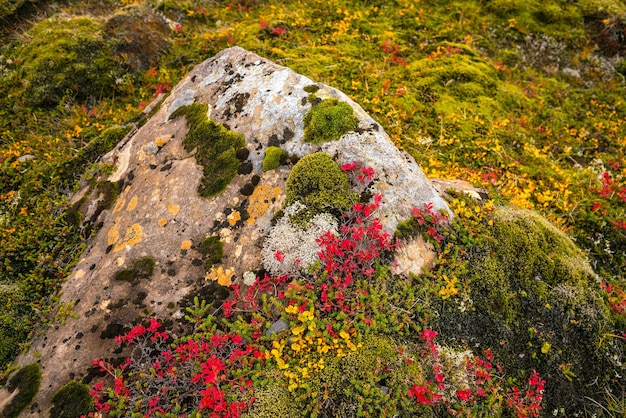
{"x": 538, "y": 305}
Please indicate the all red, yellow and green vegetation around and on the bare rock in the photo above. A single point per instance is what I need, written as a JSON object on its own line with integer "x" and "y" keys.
{"x": 517, "y": 316}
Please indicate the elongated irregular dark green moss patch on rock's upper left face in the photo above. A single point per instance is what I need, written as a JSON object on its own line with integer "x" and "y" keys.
{"x": 216, "y": 149}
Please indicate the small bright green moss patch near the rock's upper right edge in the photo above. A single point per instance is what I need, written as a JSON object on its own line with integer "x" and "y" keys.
{"x": 328, "y": 121}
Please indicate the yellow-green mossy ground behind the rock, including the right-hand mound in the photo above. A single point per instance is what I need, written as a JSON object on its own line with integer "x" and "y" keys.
{"x": 522, "y": 98}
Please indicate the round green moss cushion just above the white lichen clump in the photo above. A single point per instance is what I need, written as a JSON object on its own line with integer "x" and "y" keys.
{"x": 318, "y": 182}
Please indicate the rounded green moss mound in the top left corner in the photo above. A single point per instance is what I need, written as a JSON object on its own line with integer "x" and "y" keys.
{"x": 68, "y": 56}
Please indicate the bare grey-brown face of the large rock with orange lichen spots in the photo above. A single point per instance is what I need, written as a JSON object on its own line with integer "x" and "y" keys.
{"x": 159, "y": 218}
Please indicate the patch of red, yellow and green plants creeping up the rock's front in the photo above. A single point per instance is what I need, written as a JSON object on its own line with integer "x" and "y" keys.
{"x": 352, "y": 341}
